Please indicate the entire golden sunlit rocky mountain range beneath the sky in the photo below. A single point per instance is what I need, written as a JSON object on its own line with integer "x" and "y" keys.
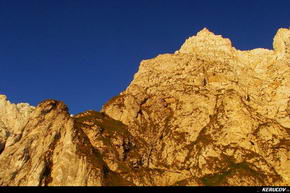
{"x": 208, "y": 114}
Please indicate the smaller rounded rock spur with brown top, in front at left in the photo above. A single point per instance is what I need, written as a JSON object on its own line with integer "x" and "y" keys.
{"x": 53, "y": 151}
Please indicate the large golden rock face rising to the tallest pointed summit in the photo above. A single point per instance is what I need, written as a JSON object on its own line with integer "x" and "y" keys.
{"x": 213, "y": 114}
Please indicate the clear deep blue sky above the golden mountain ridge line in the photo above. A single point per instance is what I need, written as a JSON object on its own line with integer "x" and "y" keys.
{"x": 86, "y": 51}
